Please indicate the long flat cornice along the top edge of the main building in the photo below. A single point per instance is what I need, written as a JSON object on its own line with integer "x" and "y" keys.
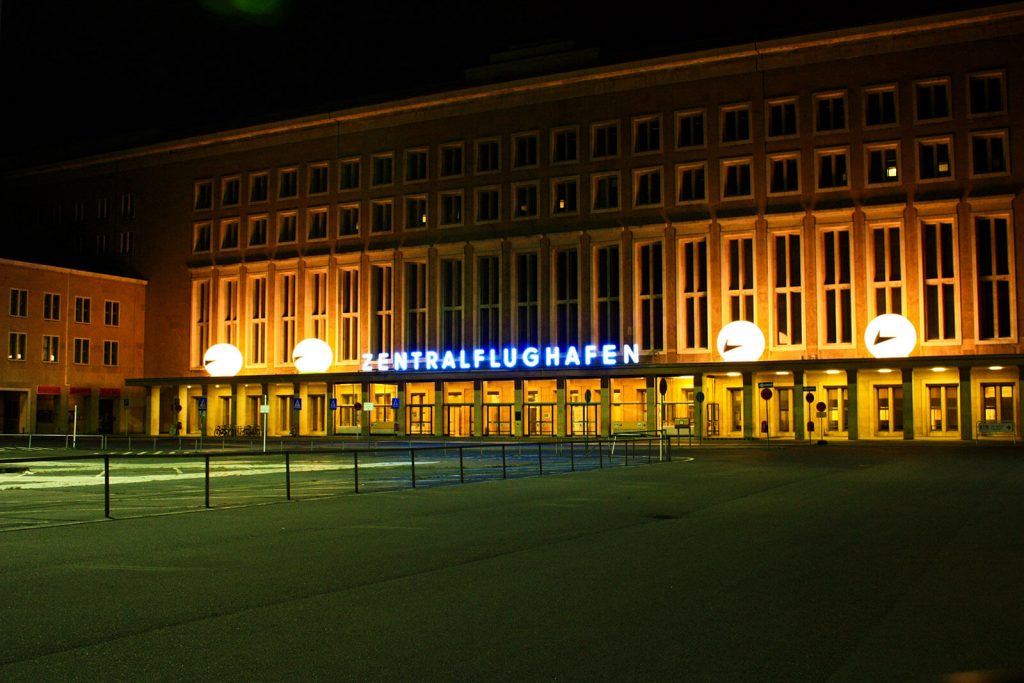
{"x": 831, "y": 39}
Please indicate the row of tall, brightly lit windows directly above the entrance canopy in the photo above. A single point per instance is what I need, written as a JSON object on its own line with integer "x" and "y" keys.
{"x": 454, "y": 305}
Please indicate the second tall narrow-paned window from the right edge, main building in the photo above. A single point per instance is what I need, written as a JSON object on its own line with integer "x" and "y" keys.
{"x": 940, "y": 258}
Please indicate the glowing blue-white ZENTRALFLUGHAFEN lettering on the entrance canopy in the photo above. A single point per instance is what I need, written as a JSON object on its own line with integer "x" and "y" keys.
{"x": 506, "y": 359}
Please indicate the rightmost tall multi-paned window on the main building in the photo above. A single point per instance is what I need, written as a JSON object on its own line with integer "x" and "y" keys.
{"x": 995, "y": 249}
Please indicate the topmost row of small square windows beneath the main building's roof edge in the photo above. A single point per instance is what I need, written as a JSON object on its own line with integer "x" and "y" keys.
{"x": 932, "y": 102}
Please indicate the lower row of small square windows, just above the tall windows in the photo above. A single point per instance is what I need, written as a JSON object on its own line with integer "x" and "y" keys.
{"x": 784, "y": 175}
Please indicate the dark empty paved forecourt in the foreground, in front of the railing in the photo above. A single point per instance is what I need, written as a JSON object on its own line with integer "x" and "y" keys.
{"x": 846, "y": 563}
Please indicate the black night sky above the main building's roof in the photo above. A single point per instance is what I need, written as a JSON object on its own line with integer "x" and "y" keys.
{"x": 95, "y": 75}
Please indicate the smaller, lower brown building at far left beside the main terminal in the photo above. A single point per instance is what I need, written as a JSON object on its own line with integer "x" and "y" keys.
{"x": 72, "y": 338}
